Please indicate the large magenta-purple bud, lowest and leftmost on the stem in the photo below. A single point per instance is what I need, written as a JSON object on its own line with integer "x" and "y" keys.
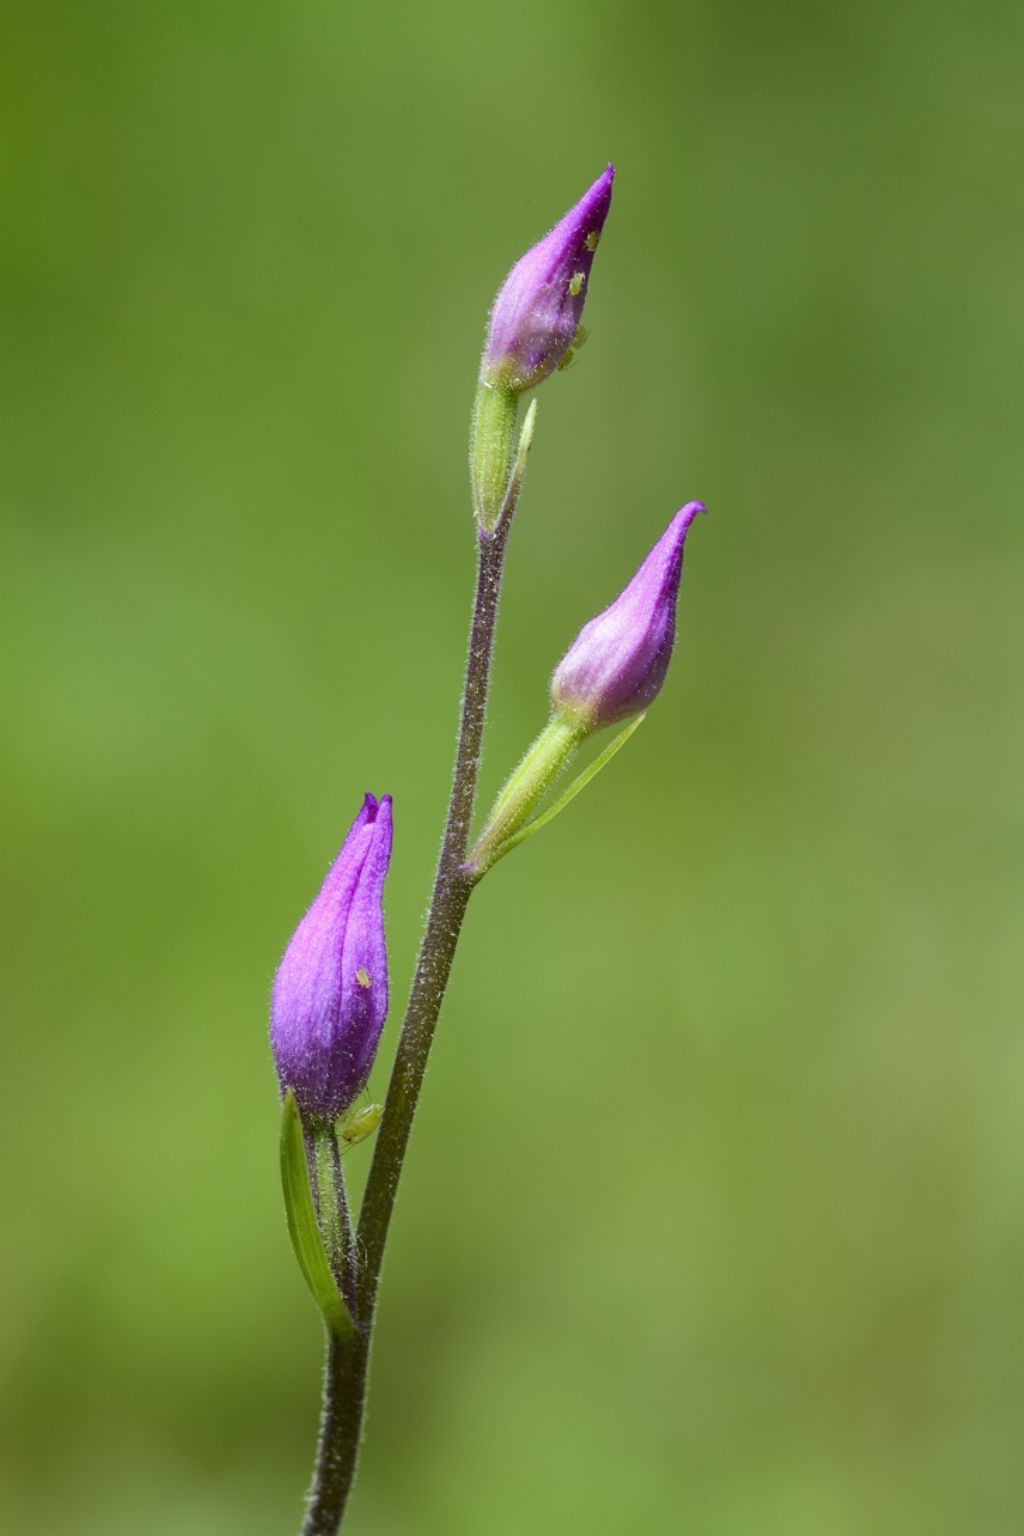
{"x": 331, "y": 991}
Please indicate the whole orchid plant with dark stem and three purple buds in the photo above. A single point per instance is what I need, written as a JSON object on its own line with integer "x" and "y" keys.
{"x": 331, "y": 993}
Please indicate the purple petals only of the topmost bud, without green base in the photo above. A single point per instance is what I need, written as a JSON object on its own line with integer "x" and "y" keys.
{"x": 538, "y": 311}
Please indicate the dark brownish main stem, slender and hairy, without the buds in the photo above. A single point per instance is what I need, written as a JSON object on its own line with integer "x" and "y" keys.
{"x": 346, "y": 1372}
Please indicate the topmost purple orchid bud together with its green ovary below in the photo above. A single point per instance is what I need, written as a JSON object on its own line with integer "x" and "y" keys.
{"x": 533, "y": 329}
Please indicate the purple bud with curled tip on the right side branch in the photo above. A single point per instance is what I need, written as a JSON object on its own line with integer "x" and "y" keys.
{"x": 618, "y": 663}
